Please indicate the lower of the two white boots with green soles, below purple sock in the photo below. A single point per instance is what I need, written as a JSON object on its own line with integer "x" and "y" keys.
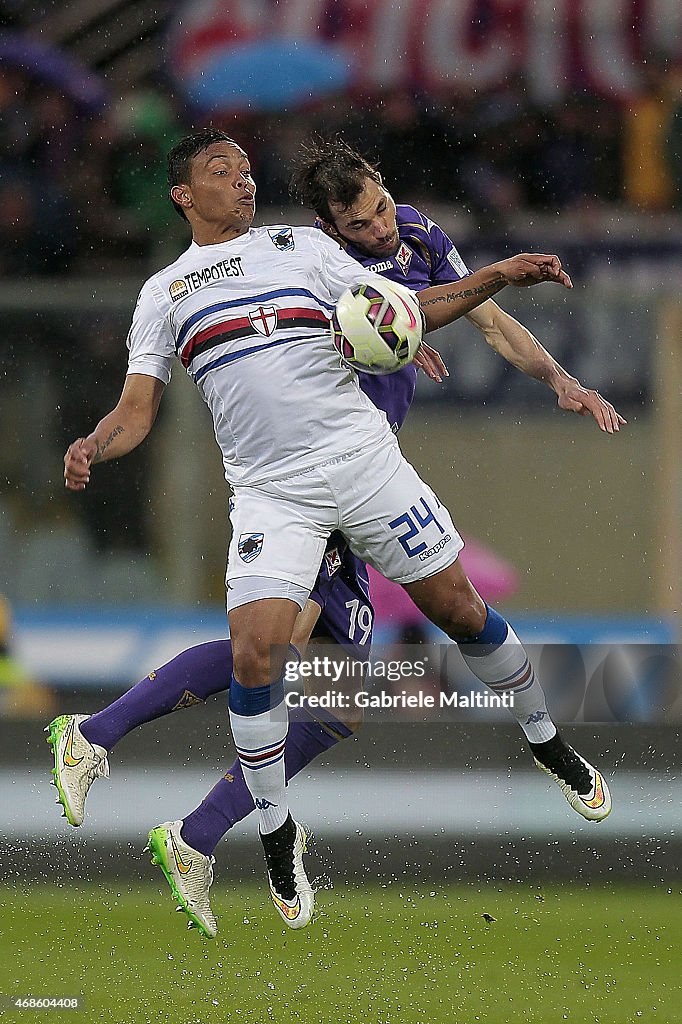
{"x": 189, "y": 873}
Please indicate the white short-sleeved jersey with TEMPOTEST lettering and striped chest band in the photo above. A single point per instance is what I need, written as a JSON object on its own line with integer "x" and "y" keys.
{"x": 249, "y": 321}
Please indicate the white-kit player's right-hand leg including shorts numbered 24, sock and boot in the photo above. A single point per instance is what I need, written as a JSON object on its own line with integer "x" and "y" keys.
{"x": 405, "y": 532}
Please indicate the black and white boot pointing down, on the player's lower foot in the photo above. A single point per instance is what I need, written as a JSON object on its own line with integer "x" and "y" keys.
{"x": 290, "y": 890}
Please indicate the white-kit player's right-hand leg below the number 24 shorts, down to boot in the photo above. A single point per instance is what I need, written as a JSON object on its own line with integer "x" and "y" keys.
{"x": 497, "y": 657}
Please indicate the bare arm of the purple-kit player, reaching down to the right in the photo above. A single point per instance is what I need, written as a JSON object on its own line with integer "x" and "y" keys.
{"x": 516, "y": 344}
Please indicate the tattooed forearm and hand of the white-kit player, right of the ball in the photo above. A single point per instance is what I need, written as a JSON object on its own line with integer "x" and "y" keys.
{"x": 445, "y": 304}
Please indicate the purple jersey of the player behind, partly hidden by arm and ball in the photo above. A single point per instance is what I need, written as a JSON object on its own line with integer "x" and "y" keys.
{"x": 427, "y": 257}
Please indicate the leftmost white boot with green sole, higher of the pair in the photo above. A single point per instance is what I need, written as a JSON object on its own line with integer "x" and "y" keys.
{"x": 77, "y": 764}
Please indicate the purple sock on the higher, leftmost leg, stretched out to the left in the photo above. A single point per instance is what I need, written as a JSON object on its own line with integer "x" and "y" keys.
{"x": 189, "y": 679}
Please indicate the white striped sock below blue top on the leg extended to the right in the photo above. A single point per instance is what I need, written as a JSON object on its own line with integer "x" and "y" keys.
{"x": 506, "y": 669}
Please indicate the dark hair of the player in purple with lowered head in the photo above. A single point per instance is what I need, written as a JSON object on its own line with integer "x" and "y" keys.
{"x": 330, "y": 172}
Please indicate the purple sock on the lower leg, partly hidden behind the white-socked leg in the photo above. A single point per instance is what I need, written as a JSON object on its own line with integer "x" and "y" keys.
{"x": 230, "y": 801}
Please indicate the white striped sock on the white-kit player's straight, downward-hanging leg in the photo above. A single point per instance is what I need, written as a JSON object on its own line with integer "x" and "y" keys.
{"x": 261, "y": 744}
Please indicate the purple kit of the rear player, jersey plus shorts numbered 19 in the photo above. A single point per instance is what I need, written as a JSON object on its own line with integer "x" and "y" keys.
{"x": 427, "y": 257}
